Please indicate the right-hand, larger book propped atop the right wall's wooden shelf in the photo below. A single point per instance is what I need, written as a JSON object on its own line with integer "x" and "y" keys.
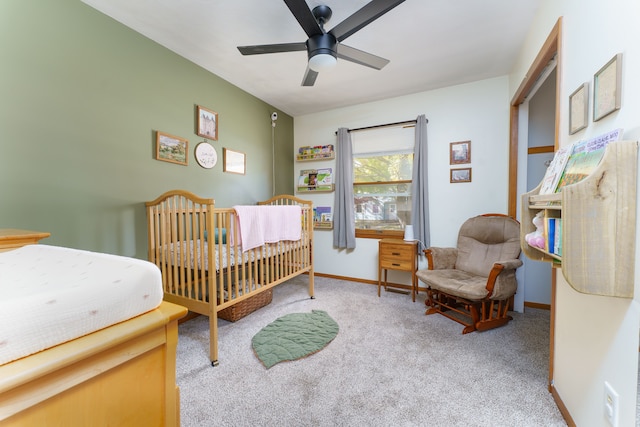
{"x": 585, "y": 157}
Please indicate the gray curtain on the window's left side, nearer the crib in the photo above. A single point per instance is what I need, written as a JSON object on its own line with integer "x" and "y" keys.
{"x": 344, "y": 223}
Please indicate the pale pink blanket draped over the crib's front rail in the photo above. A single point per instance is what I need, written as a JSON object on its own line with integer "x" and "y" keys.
{"x": 268, "y": 224}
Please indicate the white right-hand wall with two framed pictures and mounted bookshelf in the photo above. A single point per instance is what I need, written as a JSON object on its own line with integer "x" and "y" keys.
{"x": 596, "y": 338}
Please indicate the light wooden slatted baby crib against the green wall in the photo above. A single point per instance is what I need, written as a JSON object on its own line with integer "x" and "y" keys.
{"x": 181, "y": 220}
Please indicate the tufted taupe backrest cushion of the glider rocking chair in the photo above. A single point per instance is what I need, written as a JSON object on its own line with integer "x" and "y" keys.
{"x": 484, "y": 240}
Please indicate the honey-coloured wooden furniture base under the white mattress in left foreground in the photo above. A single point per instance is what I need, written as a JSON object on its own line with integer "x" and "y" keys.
{"x": 121, "y": 375}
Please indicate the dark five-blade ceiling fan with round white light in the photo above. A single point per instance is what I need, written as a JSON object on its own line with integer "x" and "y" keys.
{"x": 323, "y": 48}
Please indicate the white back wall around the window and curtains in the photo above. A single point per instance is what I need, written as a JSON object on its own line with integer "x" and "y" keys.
{"x": 477, "y": 111}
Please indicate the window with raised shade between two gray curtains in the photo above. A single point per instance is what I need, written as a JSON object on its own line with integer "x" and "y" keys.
{"x": 382, "y": 167}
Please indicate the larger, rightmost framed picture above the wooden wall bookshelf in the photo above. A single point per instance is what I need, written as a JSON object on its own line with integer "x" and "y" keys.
{"x": 607, "y": 88}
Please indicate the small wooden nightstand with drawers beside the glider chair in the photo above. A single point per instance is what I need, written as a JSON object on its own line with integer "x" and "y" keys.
{"x": 396, "y": 254}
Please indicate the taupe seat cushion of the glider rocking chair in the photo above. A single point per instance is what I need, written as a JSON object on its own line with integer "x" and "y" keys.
{"x": 455, "y": 282}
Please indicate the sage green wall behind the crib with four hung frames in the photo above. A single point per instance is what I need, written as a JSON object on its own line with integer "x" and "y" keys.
{"x": 81, "y": 97}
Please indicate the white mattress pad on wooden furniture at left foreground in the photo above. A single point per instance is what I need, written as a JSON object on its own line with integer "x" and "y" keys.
{"x": 50, "y": 295}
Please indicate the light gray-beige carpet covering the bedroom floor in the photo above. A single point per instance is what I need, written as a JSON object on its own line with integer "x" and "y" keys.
{"x": 390, "y": 365}
